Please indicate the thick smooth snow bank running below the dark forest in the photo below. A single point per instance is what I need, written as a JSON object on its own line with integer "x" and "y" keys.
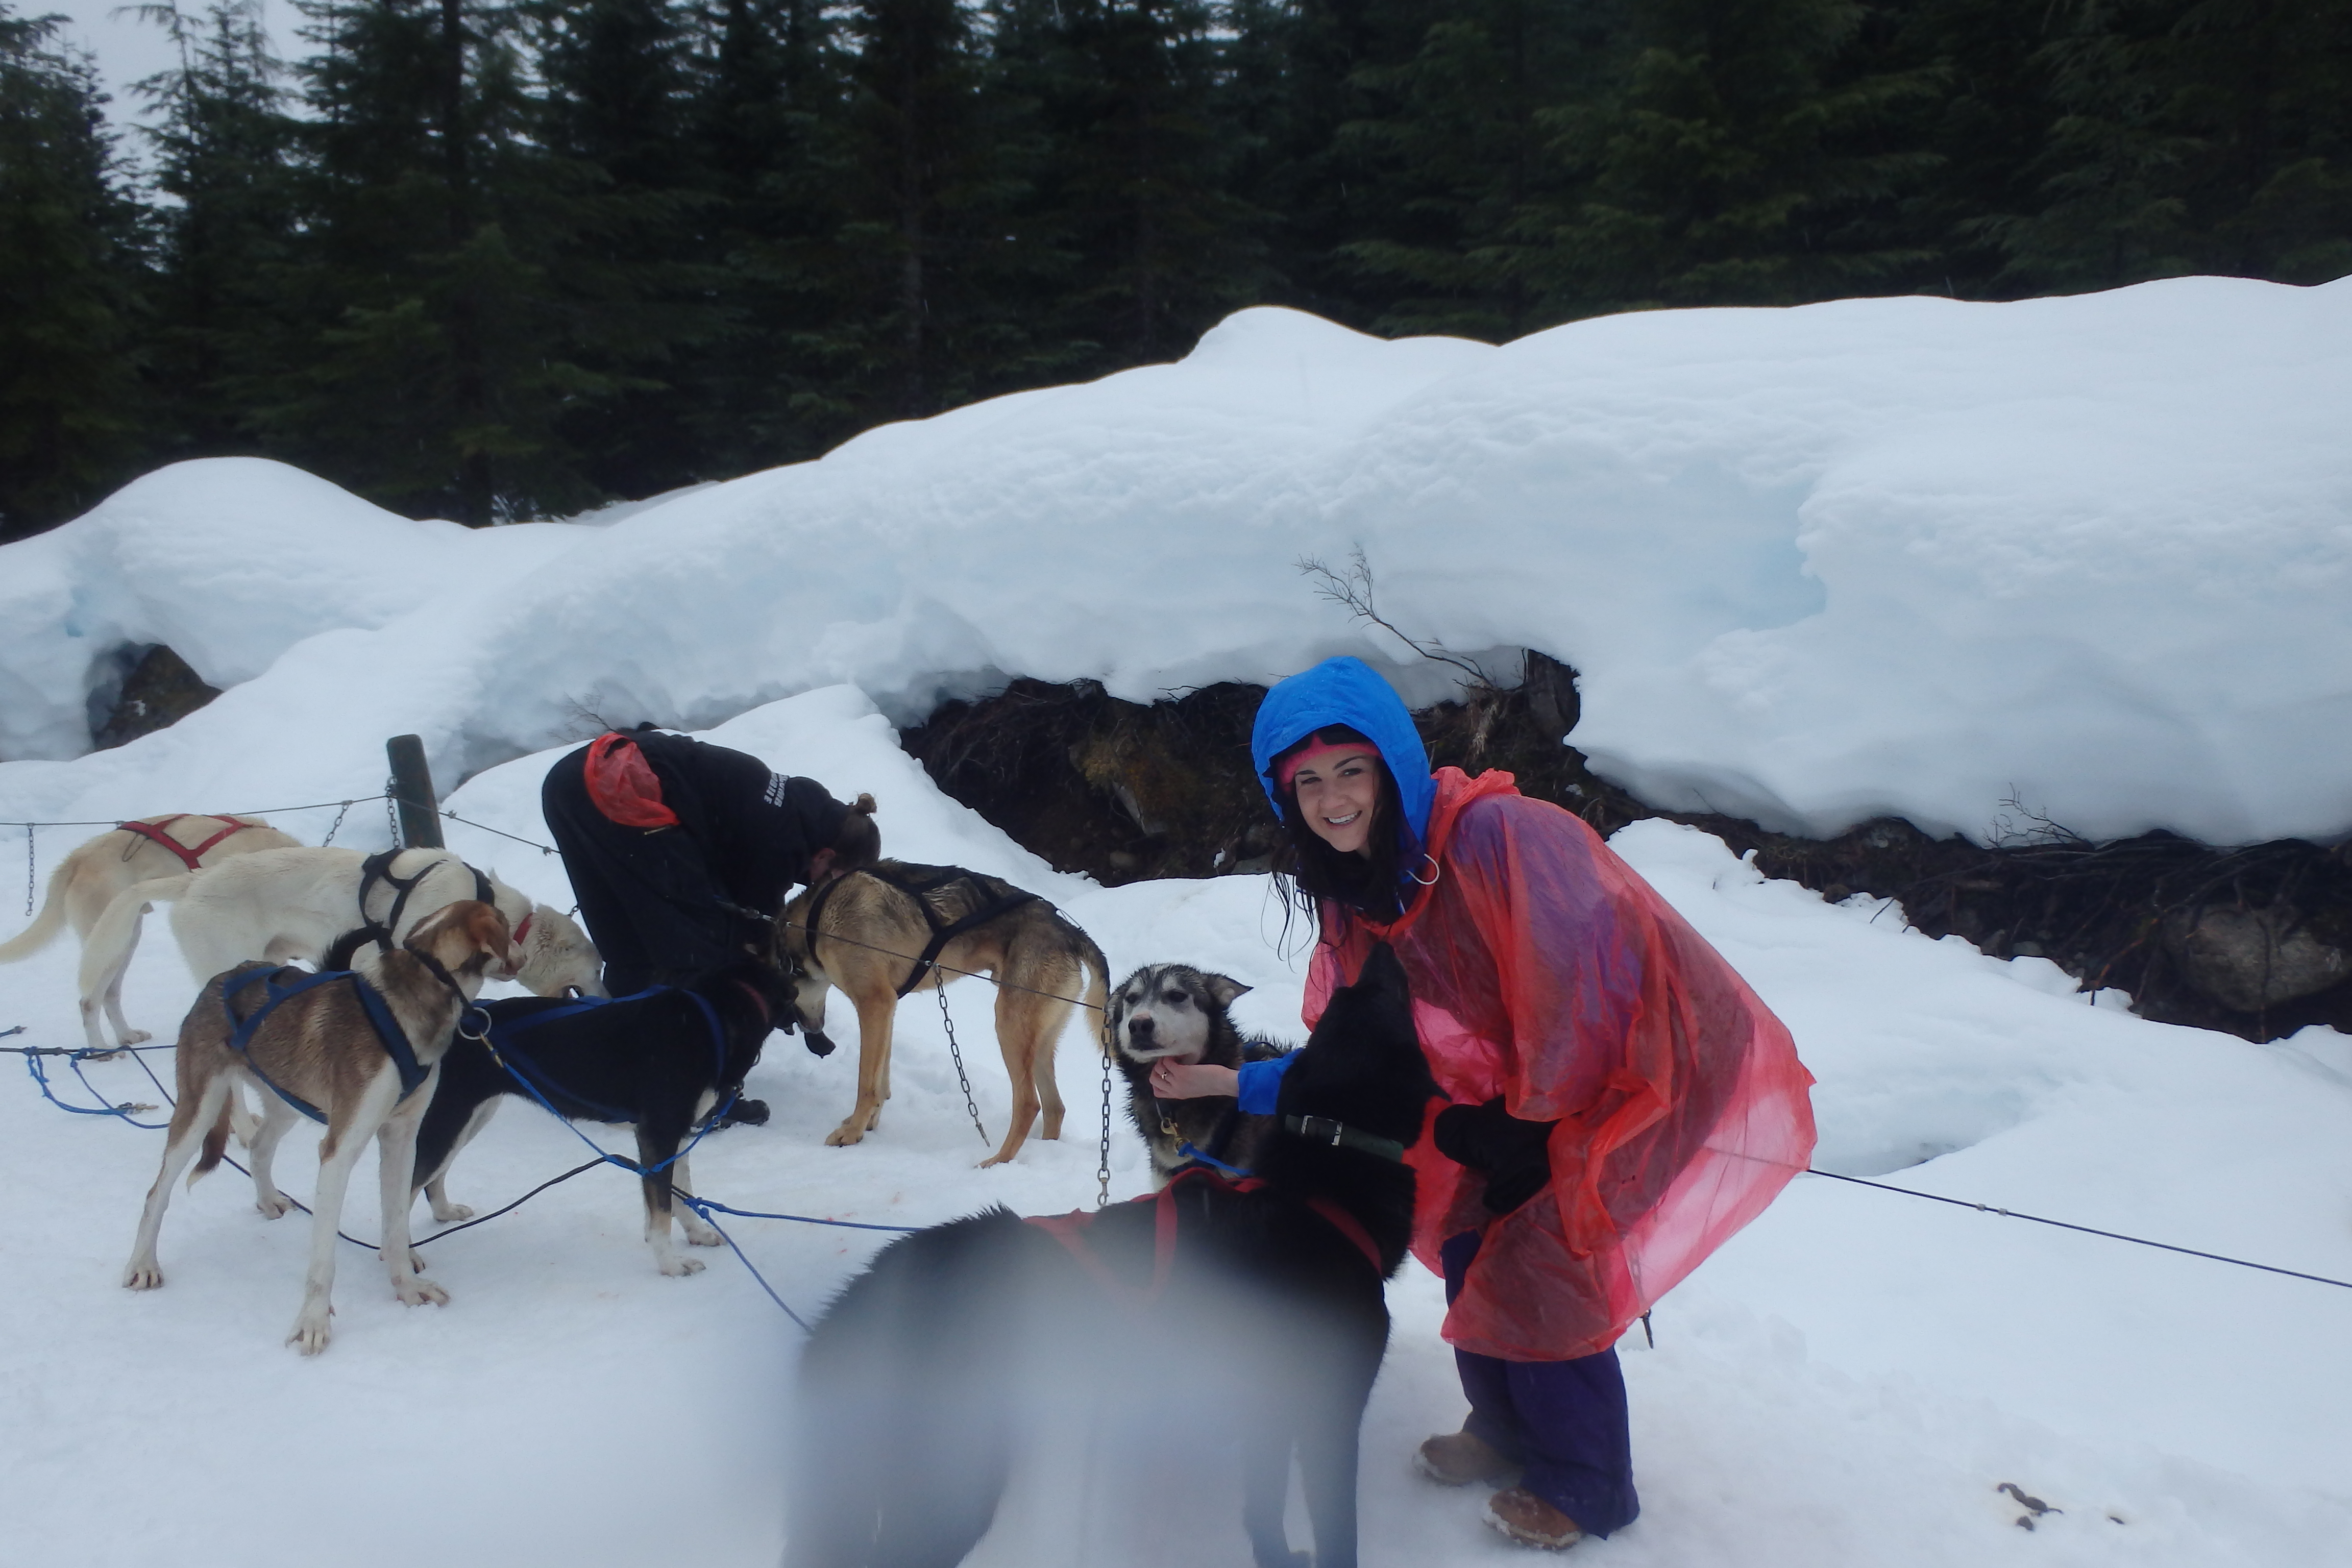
{"x": 1897, "y": 556}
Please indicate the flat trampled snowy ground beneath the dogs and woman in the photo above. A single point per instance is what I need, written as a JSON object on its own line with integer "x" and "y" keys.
{"x": 1847, "y": 1383}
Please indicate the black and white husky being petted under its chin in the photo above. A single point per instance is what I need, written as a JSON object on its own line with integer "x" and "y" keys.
{"x": 1182, "y": 1012}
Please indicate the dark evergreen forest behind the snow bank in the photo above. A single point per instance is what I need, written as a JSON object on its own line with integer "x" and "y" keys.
{"x": 512, "y": 260}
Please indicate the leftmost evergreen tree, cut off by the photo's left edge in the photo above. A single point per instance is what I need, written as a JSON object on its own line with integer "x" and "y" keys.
{"x": 69, "y": 286}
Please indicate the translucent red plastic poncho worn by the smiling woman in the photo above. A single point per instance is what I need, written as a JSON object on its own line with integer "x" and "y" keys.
{"x": 1546, "y": 972}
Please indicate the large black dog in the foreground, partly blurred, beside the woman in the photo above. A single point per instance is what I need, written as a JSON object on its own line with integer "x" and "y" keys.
{"x": 1212, "y": 1313}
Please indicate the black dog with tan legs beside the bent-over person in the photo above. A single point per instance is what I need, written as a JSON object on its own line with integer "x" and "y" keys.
{"x": 648, "y": 1059}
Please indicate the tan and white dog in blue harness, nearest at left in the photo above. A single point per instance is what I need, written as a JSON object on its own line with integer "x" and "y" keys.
{"x": 323, "y": 1047}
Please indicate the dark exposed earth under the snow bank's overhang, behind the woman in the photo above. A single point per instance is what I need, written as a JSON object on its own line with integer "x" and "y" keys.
{"x": 2219, "y": 939}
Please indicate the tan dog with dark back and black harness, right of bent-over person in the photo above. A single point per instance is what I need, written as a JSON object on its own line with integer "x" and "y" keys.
{"x": 893, "y": 930}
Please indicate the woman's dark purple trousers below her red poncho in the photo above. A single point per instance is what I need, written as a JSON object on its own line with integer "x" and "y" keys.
{"x": 1563, "y": 1421}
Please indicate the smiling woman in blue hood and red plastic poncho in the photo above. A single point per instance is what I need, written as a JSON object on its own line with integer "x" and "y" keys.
{"x": 1619, "y": 1101}
